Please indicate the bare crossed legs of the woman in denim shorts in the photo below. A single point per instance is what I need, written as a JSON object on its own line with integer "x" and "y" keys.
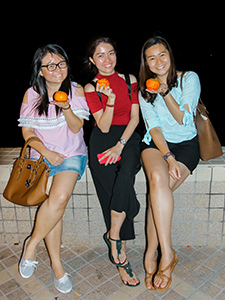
{"x": 51, "y": 212}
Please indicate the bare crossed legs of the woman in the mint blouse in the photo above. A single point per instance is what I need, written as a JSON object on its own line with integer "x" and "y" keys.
{"x": 160, "y": 213}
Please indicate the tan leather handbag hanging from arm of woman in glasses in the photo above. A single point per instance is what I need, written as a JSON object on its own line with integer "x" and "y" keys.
{"x": 28, "y": 180}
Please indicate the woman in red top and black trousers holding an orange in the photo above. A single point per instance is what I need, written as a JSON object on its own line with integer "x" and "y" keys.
{"x": 116, "y": 115}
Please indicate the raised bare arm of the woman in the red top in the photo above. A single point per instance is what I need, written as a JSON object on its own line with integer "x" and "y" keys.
{"x": 103, "y": 118}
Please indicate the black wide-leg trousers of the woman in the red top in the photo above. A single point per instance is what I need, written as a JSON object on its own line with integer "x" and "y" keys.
{"x": 115, "y": 183}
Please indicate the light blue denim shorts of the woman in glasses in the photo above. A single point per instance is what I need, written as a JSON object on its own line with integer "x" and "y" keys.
{"x": 74, "y": 163}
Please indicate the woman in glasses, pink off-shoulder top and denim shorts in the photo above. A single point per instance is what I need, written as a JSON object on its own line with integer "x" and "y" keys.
{"x": 59, "y": 127}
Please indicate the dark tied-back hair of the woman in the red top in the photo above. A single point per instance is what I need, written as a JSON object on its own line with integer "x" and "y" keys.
{"x": 91, "y": 48}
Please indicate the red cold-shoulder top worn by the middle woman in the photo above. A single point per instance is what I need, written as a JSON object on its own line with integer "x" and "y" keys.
{"x": 123, "y": 102}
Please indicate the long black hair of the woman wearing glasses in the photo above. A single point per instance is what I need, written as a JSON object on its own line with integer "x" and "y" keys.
{"x": 38, "y": 82}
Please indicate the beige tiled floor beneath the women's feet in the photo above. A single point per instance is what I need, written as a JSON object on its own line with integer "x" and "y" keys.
{"x": 199, "y": 275}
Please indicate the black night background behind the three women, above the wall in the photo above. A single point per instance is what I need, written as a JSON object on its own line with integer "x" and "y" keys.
{"x": 195, "y": 33}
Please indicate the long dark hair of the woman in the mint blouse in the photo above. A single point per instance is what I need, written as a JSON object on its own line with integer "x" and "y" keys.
{"x": 146, "y": 73}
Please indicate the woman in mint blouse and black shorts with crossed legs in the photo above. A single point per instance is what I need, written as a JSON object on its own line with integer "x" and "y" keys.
{"x": 170, "y": 150}
